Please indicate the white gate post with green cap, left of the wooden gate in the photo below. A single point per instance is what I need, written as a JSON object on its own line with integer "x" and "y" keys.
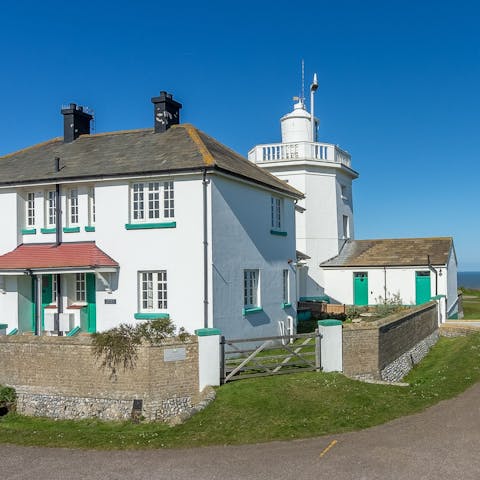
{"x": 208, "y": 357}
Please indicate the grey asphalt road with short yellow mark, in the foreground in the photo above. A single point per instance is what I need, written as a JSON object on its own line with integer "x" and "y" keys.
{"x": 441, "y": 443}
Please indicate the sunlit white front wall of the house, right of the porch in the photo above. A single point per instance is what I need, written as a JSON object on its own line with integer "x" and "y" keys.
{"x": 178, "y": 250}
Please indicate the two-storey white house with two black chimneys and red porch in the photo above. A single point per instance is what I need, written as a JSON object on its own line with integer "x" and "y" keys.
{"x": 101, "y": 229}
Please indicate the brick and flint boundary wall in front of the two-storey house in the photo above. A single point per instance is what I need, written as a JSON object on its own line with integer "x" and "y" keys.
{"x": 59, "y": 377}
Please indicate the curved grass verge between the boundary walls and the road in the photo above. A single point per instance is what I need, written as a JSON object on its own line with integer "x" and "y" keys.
{"x": 273, "y": 408}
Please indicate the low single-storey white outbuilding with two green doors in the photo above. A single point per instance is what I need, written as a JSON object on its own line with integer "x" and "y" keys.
{"x": 413, "y": 270}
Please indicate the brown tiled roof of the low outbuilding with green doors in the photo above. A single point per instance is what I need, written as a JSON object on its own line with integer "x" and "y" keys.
{"x": 393, "y": 252}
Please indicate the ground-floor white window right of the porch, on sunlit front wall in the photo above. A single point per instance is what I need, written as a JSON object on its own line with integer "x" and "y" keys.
{"x": 152, "y": 291}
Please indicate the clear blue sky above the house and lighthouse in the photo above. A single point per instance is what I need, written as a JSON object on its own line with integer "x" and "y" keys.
{"x": 399, "y": 85}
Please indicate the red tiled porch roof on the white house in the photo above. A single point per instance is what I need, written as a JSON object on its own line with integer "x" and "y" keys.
{"x": 52, "y": 256}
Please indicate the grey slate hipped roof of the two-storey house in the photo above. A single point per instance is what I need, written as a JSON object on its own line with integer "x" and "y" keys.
{"x": 134, "y": 152}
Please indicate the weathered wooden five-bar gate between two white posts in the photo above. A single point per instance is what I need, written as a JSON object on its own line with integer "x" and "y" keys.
{"x": 259, "y": 357}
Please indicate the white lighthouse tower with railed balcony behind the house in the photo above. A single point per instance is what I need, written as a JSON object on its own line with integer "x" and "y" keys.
{"x": 322, "y": 171}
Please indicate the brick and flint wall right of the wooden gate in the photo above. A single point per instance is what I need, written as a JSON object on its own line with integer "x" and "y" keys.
{"x": 386, "y": 349}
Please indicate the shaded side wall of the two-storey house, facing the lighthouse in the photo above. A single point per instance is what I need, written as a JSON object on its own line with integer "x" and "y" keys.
{"x": 242, "y": 240}
